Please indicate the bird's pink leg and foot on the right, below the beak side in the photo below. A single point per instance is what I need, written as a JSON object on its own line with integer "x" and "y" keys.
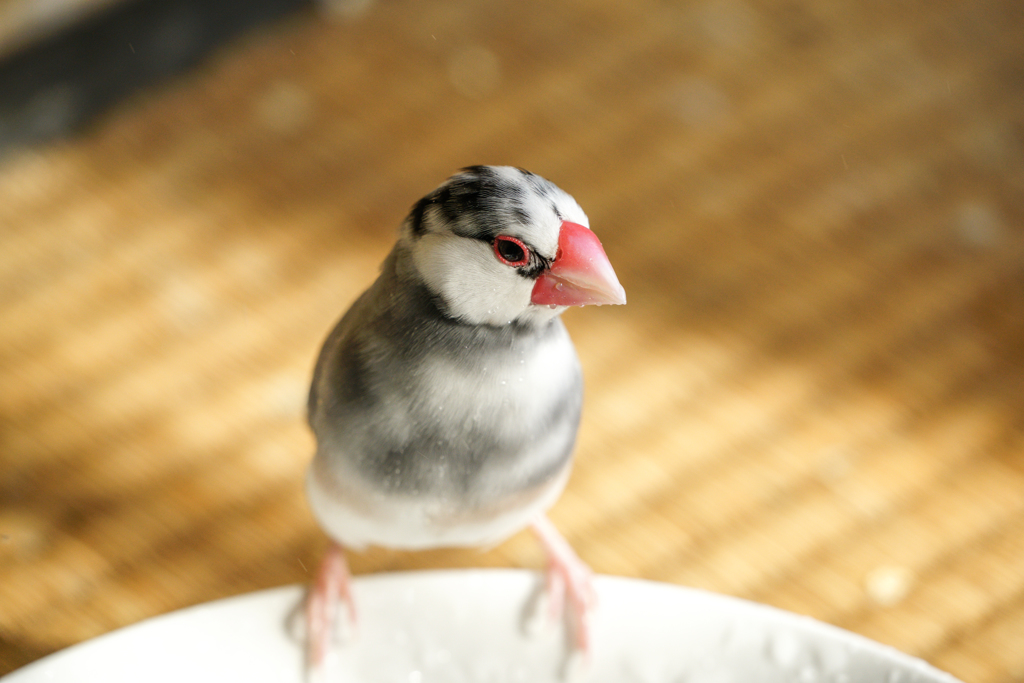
{"x": 568, "y": 577}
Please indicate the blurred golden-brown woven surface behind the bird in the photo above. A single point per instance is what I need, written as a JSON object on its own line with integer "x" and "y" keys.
{"x": 815, "y": 399}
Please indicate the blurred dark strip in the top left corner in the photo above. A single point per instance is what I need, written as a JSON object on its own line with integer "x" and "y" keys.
{"x": 57, "y": 87}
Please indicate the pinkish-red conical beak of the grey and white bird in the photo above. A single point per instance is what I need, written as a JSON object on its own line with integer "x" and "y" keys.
{"x": 581, "y": 275}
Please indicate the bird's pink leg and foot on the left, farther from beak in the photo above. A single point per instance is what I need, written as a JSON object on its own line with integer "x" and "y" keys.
{"x": 333, "y": 584}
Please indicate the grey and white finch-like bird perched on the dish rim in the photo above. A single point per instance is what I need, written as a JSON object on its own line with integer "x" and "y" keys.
{"x": 446, "y": 402}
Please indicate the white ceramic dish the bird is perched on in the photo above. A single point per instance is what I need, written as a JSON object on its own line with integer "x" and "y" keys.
{"x": 455, "y": 627}
